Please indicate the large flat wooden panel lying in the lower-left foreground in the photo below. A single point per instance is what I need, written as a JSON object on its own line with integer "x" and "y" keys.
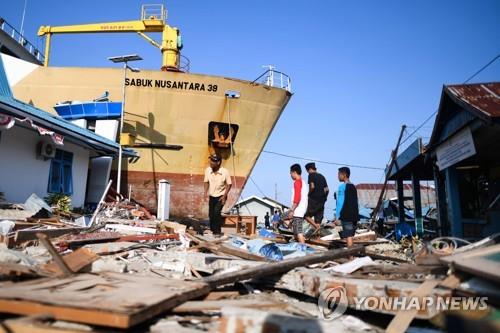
{"x": 109, "y": 299}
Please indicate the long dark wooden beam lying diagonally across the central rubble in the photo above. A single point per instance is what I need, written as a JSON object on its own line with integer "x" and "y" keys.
{"x": 279, "y": 267}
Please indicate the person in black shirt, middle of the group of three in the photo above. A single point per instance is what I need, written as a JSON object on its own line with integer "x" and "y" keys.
{"x": 318, "y": 194}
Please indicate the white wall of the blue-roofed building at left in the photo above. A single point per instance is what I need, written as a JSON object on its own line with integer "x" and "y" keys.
{"x": 21, "y": 173}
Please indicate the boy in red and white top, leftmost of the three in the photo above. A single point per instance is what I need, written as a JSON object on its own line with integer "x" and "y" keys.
{"x": 299, "y": 202}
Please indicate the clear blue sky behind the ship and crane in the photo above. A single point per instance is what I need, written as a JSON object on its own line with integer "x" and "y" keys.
{"x": 359, "y": 69}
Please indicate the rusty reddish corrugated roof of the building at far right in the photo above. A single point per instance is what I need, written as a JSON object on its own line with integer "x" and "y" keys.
{"x": 485, "y": 97}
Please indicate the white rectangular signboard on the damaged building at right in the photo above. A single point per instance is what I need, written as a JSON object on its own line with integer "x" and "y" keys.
{"x": 457, "y": 148}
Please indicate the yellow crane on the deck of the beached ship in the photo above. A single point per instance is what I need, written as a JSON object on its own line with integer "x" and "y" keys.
{"x": 152, "y": 20}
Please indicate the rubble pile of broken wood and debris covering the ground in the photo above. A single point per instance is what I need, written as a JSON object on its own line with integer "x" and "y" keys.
{"x": 121, "y": 269}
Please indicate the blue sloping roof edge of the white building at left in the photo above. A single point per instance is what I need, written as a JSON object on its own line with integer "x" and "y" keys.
{"x": 13, "y": 107}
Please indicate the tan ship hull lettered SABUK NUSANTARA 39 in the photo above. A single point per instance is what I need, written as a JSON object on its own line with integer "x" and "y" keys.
{"x": 166, "y": 109}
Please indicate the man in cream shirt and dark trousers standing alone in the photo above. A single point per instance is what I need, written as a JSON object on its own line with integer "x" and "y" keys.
{"x": 217, "y": 186}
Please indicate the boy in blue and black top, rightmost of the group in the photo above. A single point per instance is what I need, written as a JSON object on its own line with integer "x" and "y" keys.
{"x": 347, "y": 205}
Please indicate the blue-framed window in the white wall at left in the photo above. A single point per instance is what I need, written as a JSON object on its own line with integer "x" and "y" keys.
{"x": 60, "y": 176}
